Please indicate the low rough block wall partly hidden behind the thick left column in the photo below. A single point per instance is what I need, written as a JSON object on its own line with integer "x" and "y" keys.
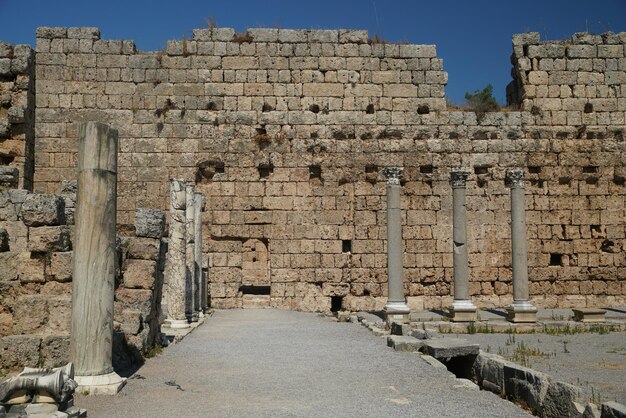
{"x": 36, "y": 274}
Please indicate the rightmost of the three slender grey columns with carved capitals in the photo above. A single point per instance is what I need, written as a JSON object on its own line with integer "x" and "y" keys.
{"x": 521, "y": 310}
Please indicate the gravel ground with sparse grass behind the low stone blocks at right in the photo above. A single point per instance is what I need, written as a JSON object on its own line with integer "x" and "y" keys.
{"x": 587, "y": 360}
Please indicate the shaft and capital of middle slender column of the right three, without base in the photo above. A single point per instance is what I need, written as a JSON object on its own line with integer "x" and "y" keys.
{"x": 459, "y": 236}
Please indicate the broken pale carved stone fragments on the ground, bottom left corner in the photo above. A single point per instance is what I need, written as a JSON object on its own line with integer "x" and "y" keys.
{"x": 44, "y": 393}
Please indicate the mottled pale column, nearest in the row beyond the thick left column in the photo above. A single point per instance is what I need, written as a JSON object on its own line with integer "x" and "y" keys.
{"x": 177, "y": 256}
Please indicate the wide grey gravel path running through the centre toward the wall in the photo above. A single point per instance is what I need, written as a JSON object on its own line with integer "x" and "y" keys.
{"x": 271, "y": 363}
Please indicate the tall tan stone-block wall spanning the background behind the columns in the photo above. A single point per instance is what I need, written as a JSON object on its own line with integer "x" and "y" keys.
{"x": 285, "y": 131}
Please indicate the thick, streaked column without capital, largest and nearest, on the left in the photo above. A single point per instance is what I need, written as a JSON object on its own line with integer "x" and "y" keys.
{"x": 93, "y": 284}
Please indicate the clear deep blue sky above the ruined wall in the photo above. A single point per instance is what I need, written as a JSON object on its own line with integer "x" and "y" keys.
{"x": 472, "y": 36}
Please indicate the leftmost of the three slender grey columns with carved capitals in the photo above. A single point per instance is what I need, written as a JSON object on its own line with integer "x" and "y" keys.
{"x": 396, "y": 308}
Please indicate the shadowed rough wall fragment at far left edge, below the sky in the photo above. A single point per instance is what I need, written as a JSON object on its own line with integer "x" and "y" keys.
{"x": 17, "y": 111}
